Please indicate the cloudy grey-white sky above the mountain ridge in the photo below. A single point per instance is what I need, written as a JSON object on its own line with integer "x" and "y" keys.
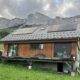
{"x": 21, "y": 8}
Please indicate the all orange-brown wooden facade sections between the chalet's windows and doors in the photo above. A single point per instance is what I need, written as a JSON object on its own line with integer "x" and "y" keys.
{"x": 48, "y": 50}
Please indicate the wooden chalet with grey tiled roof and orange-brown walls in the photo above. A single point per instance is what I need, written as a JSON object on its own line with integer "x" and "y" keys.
{"x": 54, "y": 43}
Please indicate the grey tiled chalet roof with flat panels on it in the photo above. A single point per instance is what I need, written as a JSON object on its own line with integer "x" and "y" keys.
{"x": 59, "y": 31}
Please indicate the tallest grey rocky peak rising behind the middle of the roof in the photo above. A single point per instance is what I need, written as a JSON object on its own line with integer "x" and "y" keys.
{"x": 38, "y": 18}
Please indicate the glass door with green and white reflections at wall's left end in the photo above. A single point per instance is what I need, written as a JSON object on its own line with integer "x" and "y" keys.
{"x": 12, "y": 50}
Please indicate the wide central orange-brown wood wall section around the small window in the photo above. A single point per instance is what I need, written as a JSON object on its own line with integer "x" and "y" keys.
{"x": 25, "y": 51}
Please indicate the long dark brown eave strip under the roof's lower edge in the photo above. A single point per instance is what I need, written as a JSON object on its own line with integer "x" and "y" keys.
{"x": 43, "y": 41}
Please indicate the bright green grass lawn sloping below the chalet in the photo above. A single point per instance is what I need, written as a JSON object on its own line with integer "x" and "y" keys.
{"x": 18, "y": 72}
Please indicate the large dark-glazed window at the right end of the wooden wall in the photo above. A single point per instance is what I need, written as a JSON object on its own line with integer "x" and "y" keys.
{"x": 63, "y": 49}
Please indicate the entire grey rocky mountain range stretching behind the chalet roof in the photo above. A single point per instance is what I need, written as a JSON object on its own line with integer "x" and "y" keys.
{"x": 36, "y": 19}
